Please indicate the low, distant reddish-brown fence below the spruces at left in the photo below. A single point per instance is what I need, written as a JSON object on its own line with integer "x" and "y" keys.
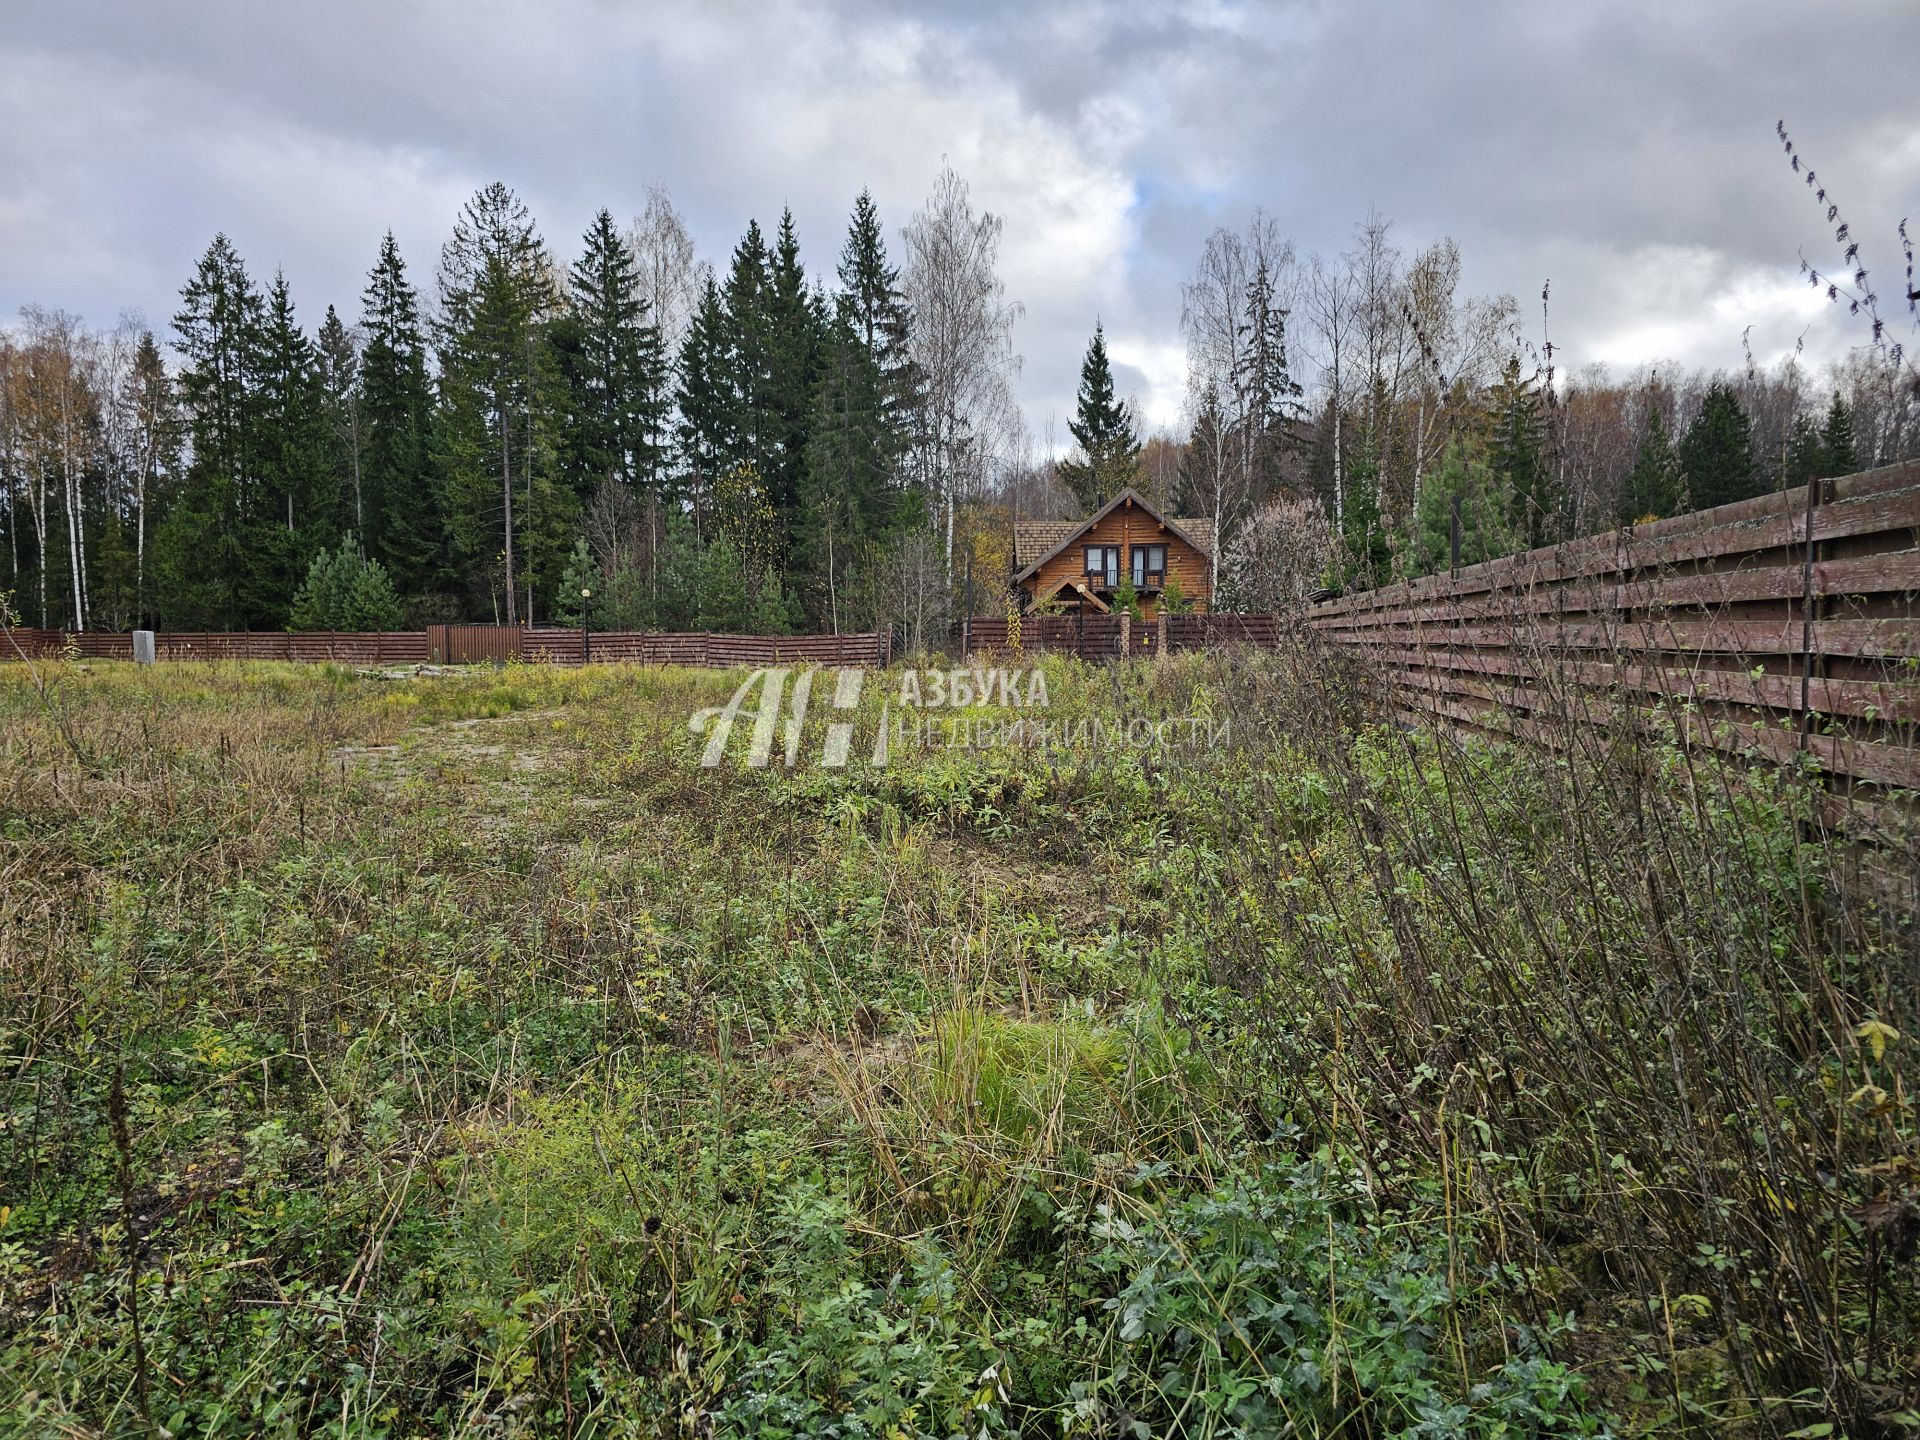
{"x": 469, "y": 646}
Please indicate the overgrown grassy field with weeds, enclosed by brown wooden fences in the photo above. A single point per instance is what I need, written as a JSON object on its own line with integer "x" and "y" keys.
{"x": 456, "y": 1055}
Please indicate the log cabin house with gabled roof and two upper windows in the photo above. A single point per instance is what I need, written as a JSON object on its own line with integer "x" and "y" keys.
{"x": 1080, "y": 564}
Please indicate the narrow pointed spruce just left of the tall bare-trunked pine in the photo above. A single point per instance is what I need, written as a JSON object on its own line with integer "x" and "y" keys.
{"x": 400, "y": 508}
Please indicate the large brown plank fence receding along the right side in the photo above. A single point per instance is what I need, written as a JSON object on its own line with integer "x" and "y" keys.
{"x": 1769, "y": 627}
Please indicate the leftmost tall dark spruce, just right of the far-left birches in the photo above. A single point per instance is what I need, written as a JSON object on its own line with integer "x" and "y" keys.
{"x": 203, "y": 550}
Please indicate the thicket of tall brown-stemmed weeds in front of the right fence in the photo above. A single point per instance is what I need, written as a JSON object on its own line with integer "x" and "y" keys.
{"x": 1608, "y": 990}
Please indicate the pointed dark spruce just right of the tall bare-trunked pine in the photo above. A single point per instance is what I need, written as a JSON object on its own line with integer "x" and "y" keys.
{"x": 619, "y": 373}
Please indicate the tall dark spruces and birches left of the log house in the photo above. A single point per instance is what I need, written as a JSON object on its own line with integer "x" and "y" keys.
{"x": 627, "y": 435}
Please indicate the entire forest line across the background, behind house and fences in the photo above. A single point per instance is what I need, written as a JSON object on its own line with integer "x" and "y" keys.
{"x": 638, "y": 441}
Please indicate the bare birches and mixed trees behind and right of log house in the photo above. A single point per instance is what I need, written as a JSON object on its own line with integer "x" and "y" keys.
{"x": 1343, "y": 414}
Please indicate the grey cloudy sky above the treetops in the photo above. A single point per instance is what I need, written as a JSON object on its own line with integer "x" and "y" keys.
{"x": 1621, "y": 149}
